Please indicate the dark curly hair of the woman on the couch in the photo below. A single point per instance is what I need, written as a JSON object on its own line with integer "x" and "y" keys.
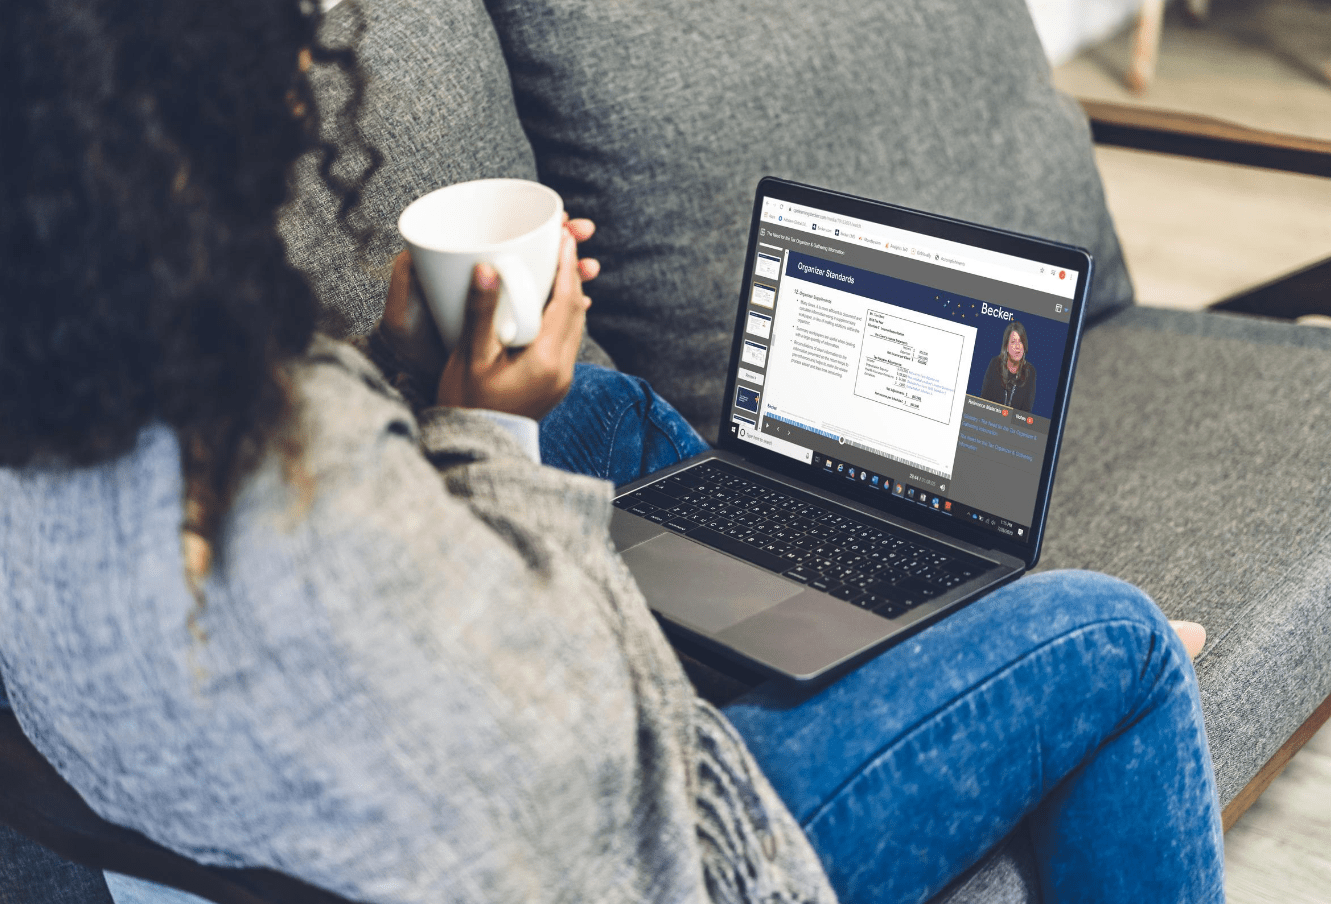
{"x": 143, "y": 276}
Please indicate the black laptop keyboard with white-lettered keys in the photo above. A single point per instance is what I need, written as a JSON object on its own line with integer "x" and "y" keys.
{"x": 875, "y": 566}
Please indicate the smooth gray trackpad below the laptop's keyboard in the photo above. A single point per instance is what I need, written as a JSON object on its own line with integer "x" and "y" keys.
{"x": 703, "y": 589}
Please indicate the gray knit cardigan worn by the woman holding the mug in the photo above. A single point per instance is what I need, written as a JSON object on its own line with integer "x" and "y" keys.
{"x": 436, "y": 682}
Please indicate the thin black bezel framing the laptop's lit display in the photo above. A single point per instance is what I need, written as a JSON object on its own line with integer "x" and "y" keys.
{"x": 1042, "y": 251}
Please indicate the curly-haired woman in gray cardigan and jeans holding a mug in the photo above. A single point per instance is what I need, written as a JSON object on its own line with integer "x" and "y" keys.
{"x": 274, "y": 602}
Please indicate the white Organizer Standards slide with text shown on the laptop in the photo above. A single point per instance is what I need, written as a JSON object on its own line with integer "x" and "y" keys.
{"x": 878, "y": 376}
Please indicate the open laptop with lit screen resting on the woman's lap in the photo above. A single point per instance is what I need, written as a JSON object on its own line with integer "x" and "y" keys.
{"x": 896, "y": 399}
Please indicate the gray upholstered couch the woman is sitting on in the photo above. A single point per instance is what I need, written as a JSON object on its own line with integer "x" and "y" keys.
{"x": 1196, "y": 460}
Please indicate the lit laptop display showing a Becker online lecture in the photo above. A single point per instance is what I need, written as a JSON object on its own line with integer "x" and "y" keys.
{"x": 900, "y": 364}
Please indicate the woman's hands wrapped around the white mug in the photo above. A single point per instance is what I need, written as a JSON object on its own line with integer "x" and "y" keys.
{"x": 482, "y": 373}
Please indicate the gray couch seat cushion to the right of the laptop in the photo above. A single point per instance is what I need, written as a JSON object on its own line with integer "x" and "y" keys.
{"x": 1196, "y": 465}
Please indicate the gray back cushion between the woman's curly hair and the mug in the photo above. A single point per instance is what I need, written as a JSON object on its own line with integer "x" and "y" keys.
{"x": 440, "y": 109}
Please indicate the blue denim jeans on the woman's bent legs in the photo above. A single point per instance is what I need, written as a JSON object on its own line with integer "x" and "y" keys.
{"x": 1064, "y": 700}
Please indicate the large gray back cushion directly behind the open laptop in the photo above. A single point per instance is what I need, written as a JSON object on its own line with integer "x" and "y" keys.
{"x": 658, "y": 118}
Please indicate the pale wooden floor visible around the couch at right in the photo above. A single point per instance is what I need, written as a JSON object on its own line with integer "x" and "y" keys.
{"x": 1196, "y": 234}
